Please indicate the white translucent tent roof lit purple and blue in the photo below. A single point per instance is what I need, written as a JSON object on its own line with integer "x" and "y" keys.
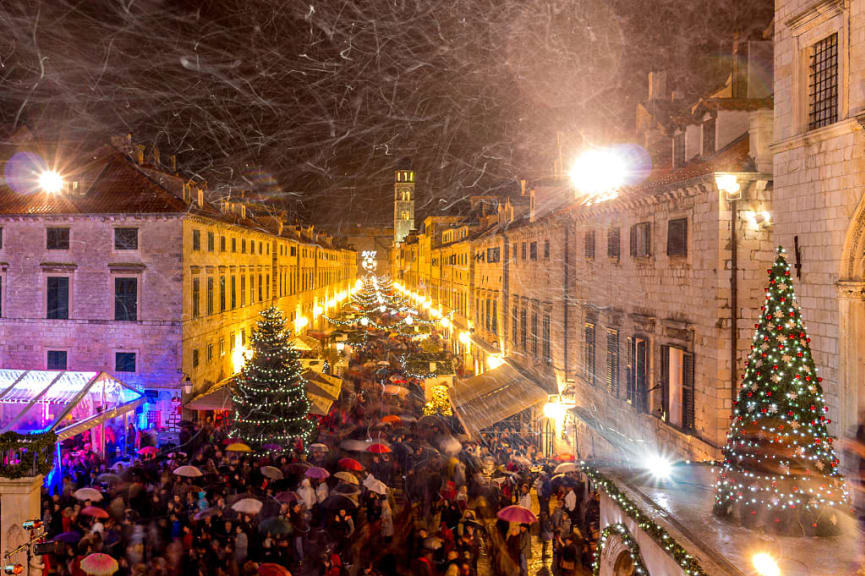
{"x": 64, "y": 401}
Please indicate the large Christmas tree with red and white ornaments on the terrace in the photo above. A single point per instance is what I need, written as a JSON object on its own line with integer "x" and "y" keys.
{"x": 780, "y": 469}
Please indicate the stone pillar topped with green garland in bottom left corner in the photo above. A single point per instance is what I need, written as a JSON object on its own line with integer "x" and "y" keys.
{"x": 19, "y": 502}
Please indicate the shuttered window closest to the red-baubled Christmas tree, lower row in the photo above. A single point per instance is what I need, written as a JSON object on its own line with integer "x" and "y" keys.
{"x": 677, "y": 387}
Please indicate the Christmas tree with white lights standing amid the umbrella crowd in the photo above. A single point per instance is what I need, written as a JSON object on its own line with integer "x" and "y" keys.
{"x": 270, "y": 404}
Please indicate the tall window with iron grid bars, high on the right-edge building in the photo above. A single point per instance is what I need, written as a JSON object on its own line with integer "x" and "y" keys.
{"x": 823, "y": 83}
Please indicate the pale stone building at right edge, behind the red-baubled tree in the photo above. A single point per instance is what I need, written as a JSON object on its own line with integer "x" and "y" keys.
{"x": 819, "y": 170}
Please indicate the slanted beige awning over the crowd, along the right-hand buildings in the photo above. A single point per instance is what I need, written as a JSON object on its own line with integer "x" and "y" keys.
{"x": 483, "y": 400}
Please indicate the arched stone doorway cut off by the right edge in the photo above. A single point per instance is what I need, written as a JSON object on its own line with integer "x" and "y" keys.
{"x": 851, "y": 342}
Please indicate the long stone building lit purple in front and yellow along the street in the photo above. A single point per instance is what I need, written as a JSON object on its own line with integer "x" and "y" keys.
{"x": 130, "y": 269}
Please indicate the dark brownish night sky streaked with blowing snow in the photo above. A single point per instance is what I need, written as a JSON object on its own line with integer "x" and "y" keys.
{"x": 317, "y": 103}
